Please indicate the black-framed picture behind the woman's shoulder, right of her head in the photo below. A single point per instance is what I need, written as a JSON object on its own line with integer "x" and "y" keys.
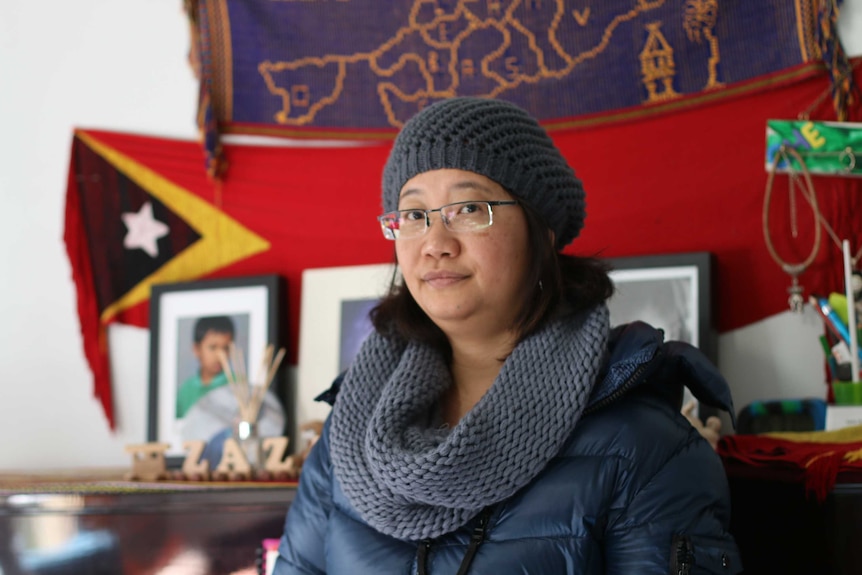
{"x": 673, "y": 292}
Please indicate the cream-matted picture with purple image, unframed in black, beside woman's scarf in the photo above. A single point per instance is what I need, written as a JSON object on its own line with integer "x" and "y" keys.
{"x": 333, "y": 323}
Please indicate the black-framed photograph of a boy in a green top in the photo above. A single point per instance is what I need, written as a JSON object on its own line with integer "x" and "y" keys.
{"x": 189, "y": 398}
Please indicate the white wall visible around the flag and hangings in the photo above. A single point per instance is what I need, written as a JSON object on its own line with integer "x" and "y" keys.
{"x": 121, "y": 66}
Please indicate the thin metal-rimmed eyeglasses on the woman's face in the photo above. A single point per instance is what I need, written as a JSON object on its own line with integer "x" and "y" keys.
{"x": 458, "y": 217}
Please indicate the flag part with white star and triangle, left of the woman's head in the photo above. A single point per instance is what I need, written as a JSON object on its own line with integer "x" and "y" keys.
{"x": 142, "y": 211}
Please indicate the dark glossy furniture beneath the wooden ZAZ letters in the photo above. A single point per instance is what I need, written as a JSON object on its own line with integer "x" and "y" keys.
{"x": 88, "y": 526}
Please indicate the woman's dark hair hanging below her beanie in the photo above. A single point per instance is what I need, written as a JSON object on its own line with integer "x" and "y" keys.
{"x": 583, "y": 282}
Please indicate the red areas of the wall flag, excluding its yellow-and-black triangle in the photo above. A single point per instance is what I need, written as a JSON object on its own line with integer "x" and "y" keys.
{"x": 689, "y": 181}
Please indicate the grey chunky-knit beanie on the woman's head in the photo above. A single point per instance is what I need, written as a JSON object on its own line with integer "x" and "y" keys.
{"x": 498, "y": 140}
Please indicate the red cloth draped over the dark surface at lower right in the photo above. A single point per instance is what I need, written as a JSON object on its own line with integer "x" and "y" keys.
{"x": 820, "y": 463}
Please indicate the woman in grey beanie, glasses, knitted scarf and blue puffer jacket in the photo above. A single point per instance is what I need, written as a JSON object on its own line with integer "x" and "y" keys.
{"x": 493, "y": 422}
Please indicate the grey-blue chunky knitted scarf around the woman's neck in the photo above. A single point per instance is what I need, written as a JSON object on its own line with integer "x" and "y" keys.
{"x": 412, "y": 481}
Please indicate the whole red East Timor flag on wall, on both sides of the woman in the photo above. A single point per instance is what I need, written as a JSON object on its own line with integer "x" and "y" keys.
{"x": 142, "y": 210}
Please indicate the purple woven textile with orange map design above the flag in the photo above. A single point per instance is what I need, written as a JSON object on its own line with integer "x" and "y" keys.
{"x": 373, "y": 64}
